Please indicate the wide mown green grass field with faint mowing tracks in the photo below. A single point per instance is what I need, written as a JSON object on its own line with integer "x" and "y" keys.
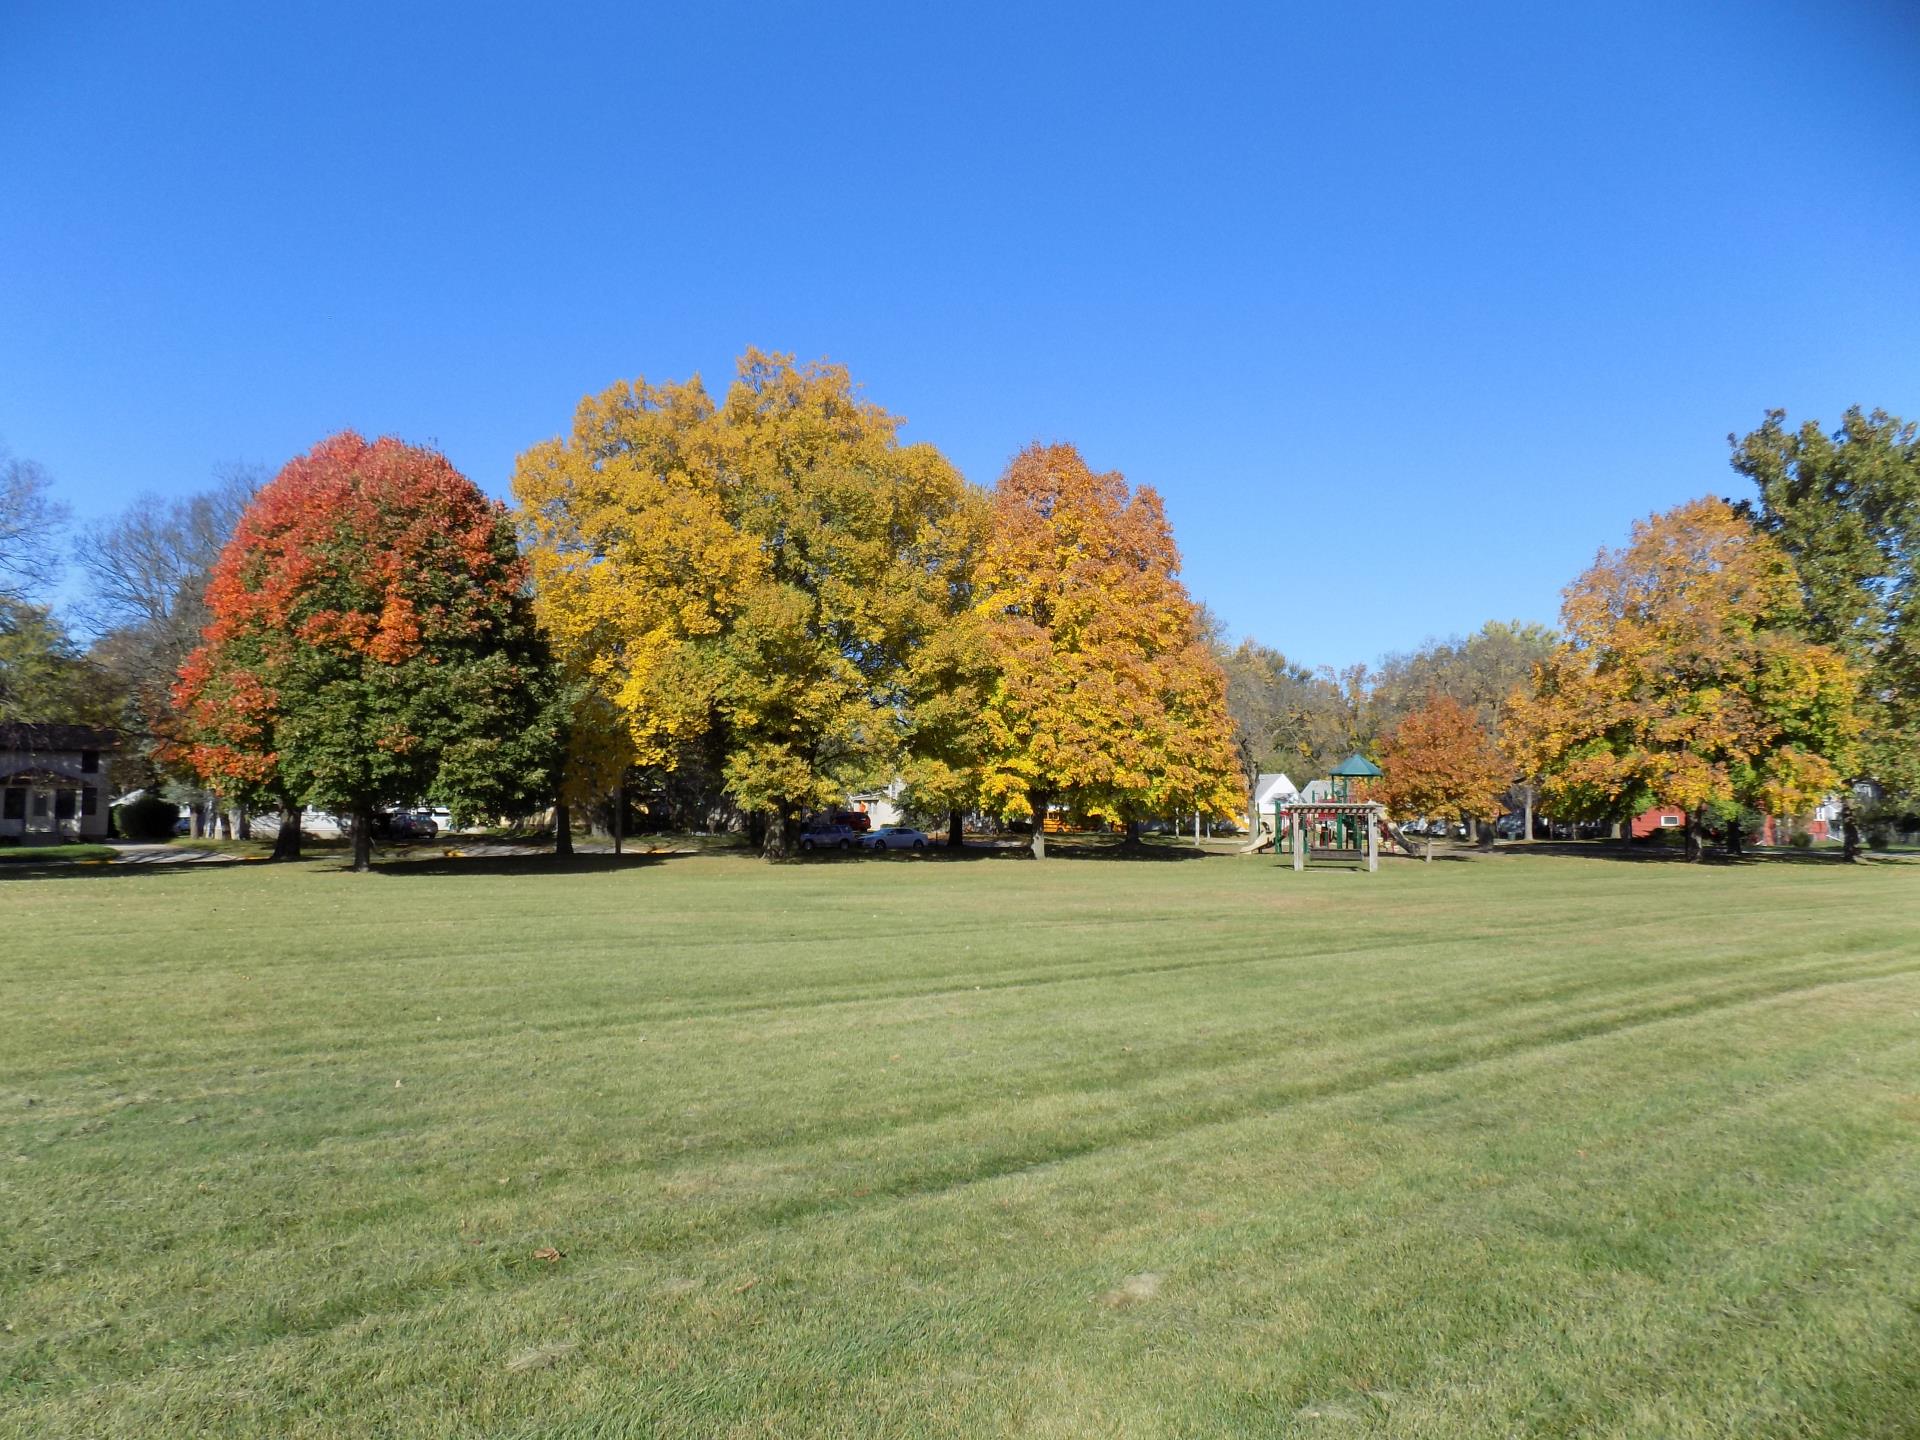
{"x": 1508, "y": 1147}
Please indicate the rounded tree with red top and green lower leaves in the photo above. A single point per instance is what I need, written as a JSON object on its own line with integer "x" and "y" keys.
{"x": 372, "y": 642}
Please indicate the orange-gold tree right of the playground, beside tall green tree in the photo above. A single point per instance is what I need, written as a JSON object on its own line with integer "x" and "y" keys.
{"x": 1685, "y": 679}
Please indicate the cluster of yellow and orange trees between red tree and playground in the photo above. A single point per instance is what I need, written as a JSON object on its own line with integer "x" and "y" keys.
{"x": 780, "y": 583}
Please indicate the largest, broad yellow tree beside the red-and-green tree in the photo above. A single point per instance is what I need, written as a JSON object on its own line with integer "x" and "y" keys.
{"x": 763, "y": 571}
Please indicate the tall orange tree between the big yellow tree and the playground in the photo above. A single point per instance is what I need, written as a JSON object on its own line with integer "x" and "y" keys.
{"x": 1107, "y": 694}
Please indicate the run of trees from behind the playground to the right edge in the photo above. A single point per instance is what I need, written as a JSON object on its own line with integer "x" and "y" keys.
{"x": 1735, "y": 661}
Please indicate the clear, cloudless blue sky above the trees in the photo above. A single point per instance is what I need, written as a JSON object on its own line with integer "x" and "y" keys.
{"x": 1449, "y": 291}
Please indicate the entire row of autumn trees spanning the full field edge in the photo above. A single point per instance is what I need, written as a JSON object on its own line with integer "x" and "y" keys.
{"x": 771, "y": 602}
